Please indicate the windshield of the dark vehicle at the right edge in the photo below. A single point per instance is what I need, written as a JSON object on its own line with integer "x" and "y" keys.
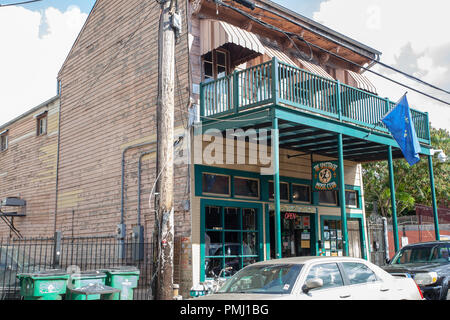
{"x": 422, "y": 254}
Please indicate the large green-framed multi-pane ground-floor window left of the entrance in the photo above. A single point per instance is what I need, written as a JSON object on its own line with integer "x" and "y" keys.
{"x": 231, "y": 239}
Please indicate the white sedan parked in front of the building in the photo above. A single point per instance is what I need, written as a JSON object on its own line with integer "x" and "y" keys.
{"x": 319, "y": 278}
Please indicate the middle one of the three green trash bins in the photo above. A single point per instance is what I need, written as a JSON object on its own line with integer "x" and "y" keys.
{"x": 83, "y": 280}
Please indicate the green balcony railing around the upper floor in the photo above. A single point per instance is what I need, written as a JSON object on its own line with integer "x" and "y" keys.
{"x": 278, "y": 83}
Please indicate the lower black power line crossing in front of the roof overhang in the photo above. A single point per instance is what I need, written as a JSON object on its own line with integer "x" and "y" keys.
{"x": 269, "y": 26}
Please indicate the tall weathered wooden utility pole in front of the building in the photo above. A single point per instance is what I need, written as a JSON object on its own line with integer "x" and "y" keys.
{"x": 165, "y": 112}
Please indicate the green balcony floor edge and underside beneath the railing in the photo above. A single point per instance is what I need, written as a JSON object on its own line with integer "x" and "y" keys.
{"x": 307, "y": 133}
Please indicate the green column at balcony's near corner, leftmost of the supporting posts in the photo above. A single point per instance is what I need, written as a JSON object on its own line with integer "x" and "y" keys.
{"x": 276, "y": 186}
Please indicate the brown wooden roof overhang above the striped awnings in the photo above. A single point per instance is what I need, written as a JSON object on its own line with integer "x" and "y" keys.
{"x": 311, "y": 31}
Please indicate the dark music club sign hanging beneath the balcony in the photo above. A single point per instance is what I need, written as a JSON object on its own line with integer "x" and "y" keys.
{"x": 325, "y": 176}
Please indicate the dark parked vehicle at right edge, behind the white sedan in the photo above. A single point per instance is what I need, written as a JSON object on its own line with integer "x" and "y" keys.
{"x": 428, "y": 263}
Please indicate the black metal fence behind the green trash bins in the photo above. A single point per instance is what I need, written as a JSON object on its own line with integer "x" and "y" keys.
{"x": 75, "y": 254}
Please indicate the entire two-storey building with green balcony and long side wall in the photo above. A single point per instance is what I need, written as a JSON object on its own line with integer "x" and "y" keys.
{"x": 242, "y": 83}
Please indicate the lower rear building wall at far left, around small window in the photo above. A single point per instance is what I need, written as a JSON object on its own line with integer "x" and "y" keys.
{"x": 28, "y": 170}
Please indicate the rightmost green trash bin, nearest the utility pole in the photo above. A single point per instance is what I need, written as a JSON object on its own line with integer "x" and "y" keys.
{"x": 124, "y": 278}
